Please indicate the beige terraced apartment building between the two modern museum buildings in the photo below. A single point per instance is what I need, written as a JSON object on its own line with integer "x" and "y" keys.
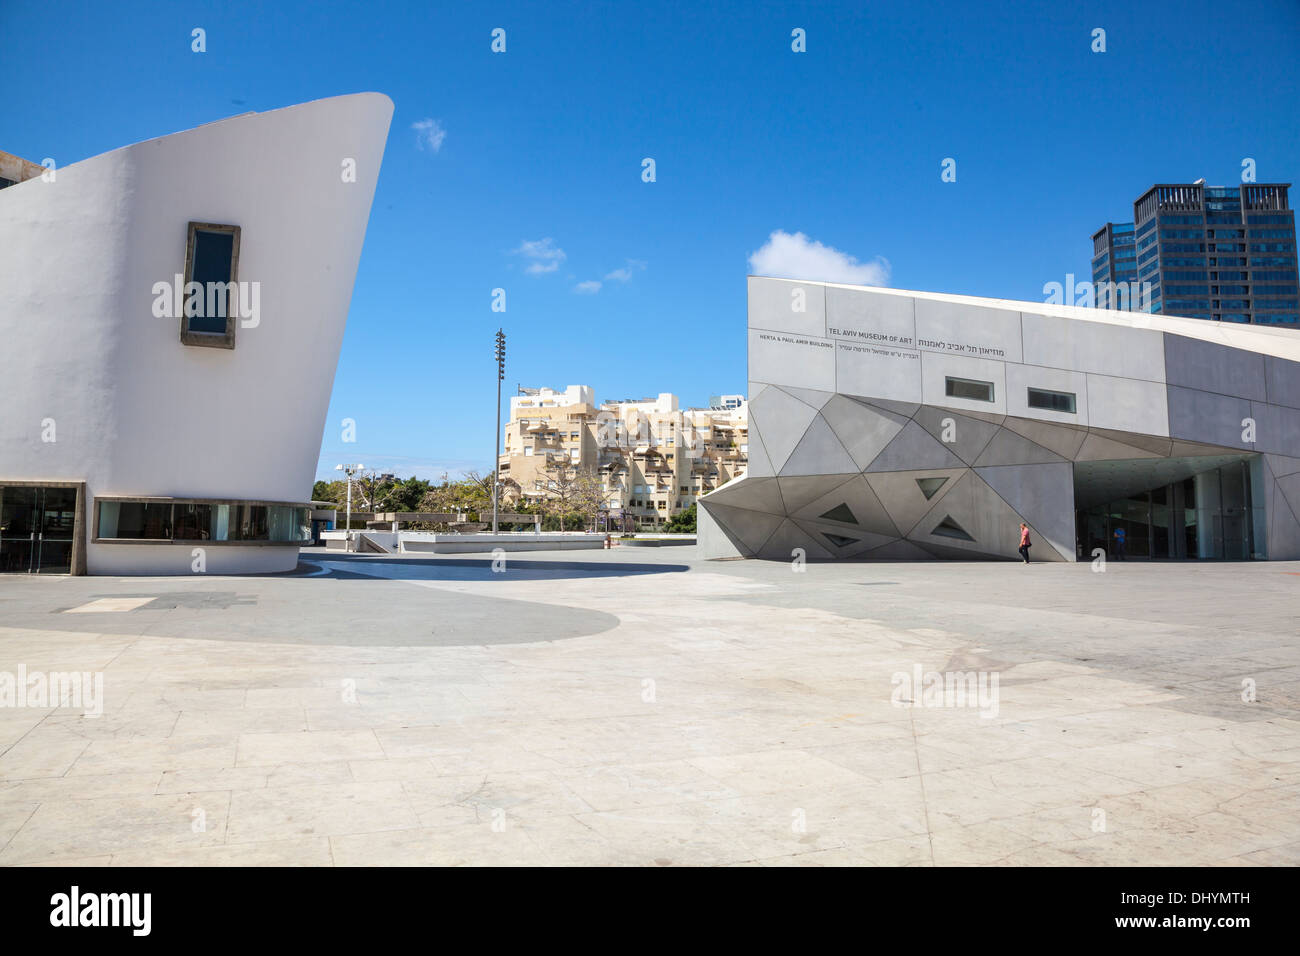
{"x": 645, "y": 460}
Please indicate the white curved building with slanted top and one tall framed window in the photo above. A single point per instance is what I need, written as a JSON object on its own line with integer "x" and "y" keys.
{"x": 136, "y": 439}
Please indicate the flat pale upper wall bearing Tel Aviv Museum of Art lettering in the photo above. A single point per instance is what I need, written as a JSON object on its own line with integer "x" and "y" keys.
{"x": 902, "y": 347}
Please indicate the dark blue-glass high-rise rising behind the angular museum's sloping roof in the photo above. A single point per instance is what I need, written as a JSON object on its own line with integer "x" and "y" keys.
{"x": 1219, "y": 253}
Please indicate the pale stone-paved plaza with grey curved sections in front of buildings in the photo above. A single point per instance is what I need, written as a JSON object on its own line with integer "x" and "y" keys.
{"x": 647, "y": 707}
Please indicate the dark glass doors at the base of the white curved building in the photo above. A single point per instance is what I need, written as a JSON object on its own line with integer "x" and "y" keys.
{"x": 38, "y": 529}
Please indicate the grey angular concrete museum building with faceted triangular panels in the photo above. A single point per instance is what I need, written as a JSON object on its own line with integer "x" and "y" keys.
{"x": 866, "y": 440}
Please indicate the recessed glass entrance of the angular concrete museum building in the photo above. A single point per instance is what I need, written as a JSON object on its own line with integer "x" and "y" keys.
{"x": 1206, "y": 516}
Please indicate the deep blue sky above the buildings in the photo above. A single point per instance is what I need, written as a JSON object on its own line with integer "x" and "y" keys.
{"x": 843, "y": 144}
